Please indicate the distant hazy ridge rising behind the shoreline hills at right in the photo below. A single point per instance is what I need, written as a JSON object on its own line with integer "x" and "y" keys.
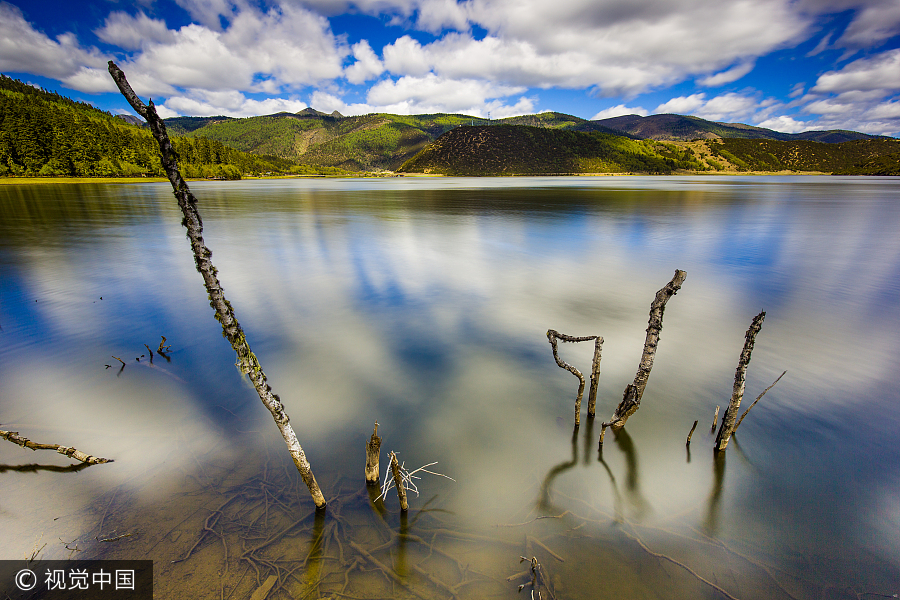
{"x": 686, "y": 128}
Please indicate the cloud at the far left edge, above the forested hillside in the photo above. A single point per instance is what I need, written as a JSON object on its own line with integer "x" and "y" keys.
{"x": 24, "y": 49}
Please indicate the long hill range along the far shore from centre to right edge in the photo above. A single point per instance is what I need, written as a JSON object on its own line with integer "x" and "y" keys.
{"x": 525, "y": 150}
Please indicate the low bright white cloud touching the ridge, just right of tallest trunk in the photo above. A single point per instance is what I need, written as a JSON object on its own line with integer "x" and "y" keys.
{"x": 229, "y": 103}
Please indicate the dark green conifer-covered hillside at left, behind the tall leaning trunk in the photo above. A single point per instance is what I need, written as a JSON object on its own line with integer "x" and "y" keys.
{"x": 45, "y": 134}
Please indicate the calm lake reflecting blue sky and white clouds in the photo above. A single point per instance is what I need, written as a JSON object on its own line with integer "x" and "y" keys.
{"x": 423, "y": 303}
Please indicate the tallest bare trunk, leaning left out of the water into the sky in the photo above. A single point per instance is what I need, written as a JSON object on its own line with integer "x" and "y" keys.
{"x": 231, "y": 329}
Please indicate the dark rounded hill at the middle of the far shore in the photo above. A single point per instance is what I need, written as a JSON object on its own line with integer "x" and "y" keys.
{"x": 522, "y": 150}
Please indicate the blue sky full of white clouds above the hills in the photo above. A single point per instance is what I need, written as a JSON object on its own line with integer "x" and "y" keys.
{"x": 788, "y": 65}
